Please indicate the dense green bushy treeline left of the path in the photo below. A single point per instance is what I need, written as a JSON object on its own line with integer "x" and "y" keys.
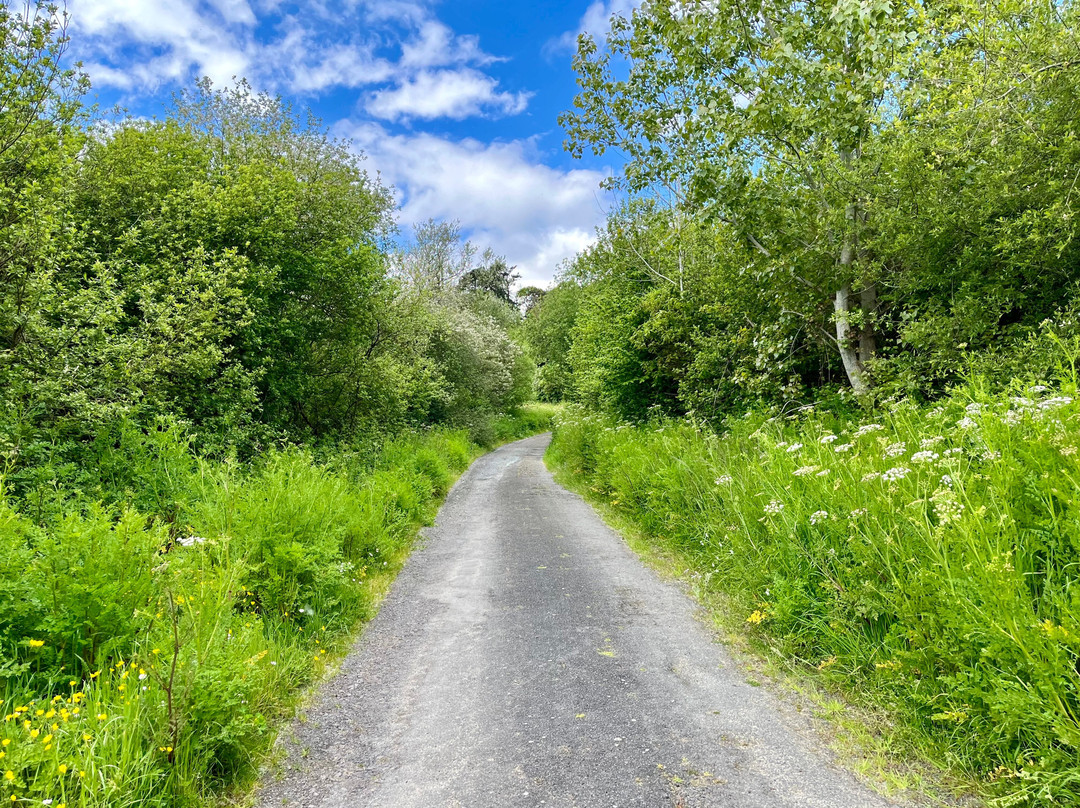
{"x": 228, "y": 266}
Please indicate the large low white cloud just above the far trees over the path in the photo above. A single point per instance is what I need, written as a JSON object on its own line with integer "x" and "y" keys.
{"x": 503, "y": 196}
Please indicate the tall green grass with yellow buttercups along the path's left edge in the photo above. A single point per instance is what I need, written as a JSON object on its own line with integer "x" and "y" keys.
{"x": 156, "y": 626}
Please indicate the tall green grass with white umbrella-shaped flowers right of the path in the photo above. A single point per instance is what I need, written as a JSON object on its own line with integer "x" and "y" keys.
{"x": 930, "y": 557}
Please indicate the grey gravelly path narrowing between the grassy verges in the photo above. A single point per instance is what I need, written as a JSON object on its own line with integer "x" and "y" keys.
{"x": 525, "y": 657}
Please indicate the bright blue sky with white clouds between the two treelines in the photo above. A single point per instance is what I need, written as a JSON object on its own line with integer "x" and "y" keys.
{"x": 455, "y": 104}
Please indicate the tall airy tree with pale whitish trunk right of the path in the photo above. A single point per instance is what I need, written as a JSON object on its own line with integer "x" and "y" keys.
{"x": 760, "y": 114}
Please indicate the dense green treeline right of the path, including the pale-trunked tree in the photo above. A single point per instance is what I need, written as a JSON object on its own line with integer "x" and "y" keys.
{"x": 854, "y": 197}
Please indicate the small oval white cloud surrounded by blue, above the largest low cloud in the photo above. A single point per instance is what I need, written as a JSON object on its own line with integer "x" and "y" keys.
{"x": 454, "y": 95}
